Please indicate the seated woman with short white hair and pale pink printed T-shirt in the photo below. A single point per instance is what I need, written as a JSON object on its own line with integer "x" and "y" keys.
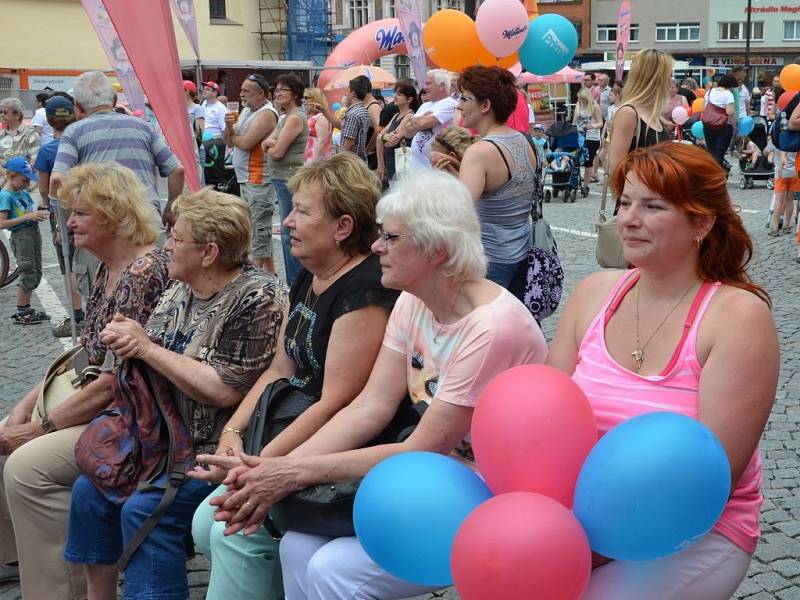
{"x": 450, "y": 333}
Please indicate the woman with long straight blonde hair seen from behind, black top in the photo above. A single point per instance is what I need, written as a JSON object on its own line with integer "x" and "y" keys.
{"x": 637, "y": 122}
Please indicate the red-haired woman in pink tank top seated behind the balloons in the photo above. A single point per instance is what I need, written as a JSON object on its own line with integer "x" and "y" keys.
{"x": 659, "y": 337}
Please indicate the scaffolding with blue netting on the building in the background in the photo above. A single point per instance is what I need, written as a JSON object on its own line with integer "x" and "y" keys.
{"x": 295, "y": 30}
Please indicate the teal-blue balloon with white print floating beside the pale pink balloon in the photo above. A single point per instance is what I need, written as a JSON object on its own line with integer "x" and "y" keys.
{"x": 549, "y": 46}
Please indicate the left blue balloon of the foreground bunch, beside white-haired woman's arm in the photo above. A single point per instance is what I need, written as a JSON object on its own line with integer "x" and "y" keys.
{"x": 407, "y": 512}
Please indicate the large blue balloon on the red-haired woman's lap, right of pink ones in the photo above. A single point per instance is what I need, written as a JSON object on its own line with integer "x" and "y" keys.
{"x": 652, "y": 486}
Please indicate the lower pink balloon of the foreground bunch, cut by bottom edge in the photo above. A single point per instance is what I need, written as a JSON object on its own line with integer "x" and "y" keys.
{"x": 520, "y": 546}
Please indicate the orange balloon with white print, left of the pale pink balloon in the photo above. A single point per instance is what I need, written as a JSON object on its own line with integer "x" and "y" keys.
{"x": 450, "y": 39}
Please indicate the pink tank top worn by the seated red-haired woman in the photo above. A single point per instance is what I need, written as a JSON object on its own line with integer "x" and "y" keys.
{"x": 617, "y": 394}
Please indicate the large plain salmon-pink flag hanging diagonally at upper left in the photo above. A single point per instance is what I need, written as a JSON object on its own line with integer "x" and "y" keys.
{"x": 145, "y": 28}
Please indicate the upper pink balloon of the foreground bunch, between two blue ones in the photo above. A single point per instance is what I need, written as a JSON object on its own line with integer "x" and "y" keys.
{"x": 531, "y": 431}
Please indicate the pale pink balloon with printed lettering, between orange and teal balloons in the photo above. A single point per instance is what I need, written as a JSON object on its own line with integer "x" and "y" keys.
{"x": 502, "y": 26}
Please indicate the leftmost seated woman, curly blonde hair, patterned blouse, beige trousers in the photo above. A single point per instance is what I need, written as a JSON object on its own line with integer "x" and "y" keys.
{"x": 112, "y": 218}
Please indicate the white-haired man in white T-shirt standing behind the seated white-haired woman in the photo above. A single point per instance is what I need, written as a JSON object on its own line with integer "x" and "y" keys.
{"x": 433, "y": 116}
